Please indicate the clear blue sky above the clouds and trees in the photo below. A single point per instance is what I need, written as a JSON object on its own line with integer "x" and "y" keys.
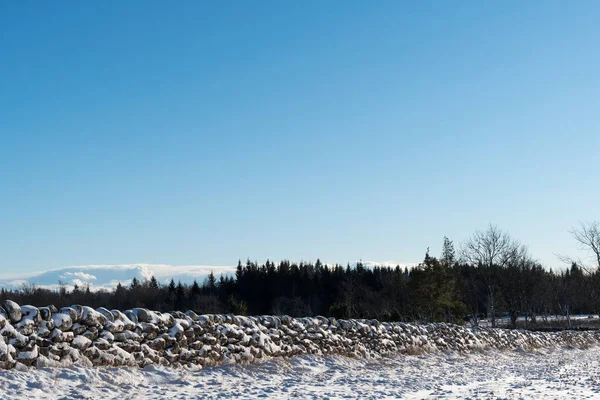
{"x": 204, "y": 132}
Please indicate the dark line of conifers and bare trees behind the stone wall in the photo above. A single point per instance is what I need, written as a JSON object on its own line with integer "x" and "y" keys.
{"x": 489, "y": 275}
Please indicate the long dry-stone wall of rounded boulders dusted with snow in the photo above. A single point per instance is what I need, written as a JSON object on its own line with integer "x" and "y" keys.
{"x": 45, "y": 336}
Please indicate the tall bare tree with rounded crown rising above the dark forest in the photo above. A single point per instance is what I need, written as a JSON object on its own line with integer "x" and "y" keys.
{"x": 491, "y": 249}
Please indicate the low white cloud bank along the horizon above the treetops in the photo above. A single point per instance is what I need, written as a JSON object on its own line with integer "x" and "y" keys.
{"x": 107, "y": 277}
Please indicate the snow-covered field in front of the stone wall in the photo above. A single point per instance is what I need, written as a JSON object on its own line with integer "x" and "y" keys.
{"x": 548, "y": 374}
